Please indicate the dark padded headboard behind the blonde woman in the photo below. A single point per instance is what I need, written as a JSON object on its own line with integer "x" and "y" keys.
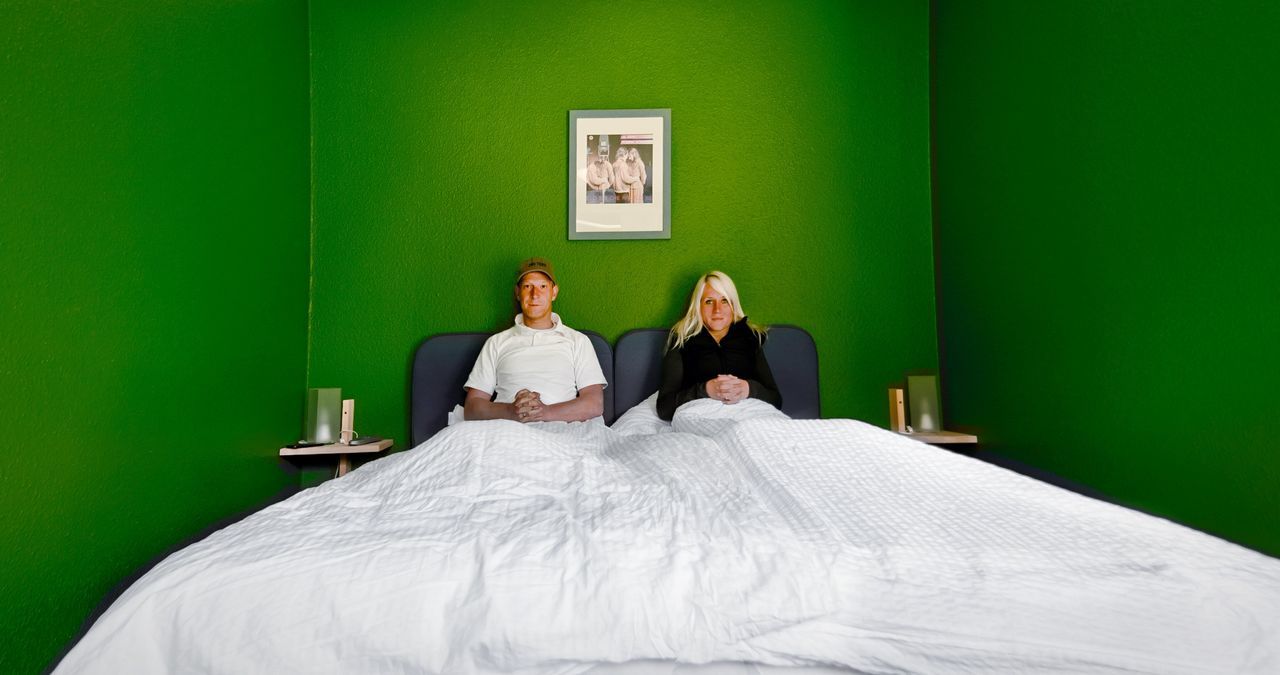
{"x": 790, "y": 350}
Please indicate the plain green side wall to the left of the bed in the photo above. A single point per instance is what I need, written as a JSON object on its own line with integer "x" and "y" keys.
{"x": 154, "y": 288}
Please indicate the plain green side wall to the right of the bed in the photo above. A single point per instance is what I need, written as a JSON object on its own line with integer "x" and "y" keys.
{"x": 1107, "y": 232}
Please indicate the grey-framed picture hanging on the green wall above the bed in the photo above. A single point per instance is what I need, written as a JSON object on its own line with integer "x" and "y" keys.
{"x": 620, "y": 175}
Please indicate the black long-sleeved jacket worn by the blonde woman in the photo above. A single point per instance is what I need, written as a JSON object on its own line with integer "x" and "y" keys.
{"x": 687, "y": 371}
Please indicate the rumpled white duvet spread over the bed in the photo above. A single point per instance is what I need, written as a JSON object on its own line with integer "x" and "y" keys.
{"x": 735, "y": 535}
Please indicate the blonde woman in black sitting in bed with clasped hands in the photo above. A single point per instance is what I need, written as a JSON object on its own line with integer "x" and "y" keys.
{"x": 714, "y": 353}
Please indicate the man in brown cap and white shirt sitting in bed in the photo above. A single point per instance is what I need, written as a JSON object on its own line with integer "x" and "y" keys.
{"x": 541, "y": 370}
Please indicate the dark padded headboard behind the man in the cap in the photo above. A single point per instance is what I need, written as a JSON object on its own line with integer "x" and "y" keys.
{"x": 442, "y": 366}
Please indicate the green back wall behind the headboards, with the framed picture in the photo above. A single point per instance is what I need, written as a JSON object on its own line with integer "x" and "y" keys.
{"x": 801, "y": 166}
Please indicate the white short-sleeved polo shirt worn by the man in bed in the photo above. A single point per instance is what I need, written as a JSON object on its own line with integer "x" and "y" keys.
{"x": 554, "y": 362}
